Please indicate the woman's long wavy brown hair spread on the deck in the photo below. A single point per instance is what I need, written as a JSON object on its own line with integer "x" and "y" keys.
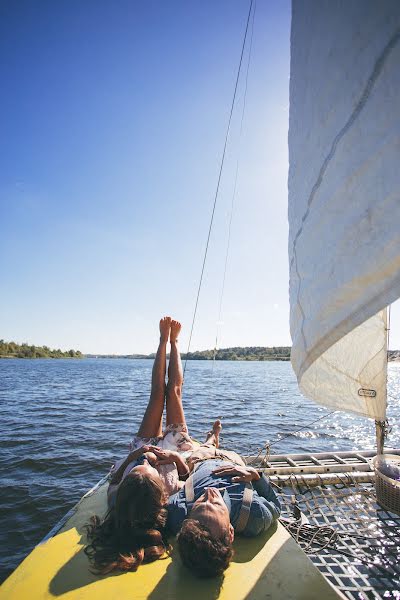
{"x": 132, "y": 532}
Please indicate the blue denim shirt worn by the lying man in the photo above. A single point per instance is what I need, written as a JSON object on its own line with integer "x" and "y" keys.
{"x": 264, "y": 510}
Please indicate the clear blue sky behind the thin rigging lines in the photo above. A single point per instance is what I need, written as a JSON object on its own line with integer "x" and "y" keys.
{"x": 113, "y": 117}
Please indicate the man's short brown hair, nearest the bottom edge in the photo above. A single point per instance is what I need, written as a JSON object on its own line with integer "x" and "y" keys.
{"x": 203, "y": 554}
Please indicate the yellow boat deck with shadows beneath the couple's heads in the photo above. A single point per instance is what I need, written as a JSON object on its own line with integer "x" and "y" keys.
{"x": 271, "y": 566}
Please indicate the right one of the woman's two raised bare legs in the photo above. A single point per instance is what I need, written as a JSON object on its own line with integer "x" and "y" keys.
{"x": 175, "y": 412}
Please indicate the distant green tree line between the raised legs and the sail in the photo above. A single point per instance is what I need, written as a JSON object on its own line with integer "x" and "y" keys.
{"x": 240, "y": 353}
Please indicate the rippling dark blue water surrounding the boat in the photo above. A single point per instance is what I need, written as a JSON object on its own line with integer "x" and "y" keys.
{"x": 63, "y": 423}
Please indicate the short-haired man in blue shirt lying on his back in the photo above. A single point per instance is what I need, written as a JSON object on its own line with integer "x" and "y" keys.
{"x": 222, "y": 496}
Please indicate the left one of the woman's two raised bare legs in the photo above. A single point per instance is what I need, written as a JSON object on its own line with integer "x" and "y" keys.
{"x": 152, "y": 420}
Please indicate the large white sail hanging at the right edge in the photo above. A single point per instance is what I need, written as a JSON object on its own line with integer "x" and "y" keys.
{"x": 344, "y": 197}
